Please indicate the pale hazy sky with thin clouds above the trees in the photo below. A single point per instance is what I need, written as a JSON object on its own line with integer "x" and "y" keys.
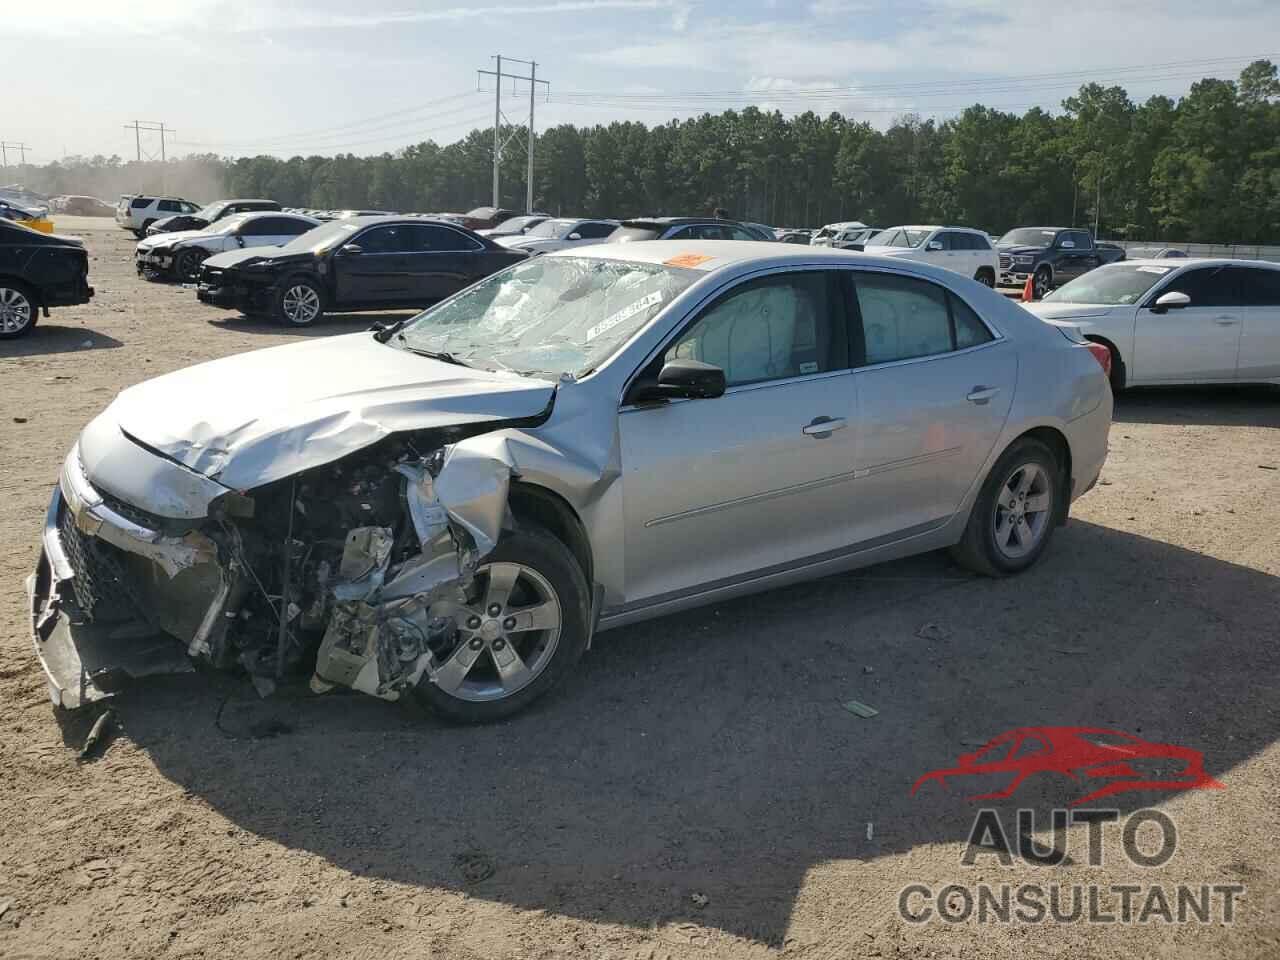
{"x": 244, "y": 77}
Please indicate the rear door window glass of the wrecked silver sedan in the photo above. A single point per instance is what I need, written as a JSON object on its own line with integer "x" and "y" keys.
{"x": 904, "y": 318}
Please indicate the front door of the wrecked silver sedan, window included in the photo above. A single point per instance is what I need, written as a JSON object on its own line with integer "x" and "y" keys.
{"x": 719, "y": 490}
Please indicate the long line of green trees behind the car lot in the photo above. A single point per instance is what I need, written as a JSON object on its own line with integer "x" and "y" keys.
{"x": 1205, "y": 167}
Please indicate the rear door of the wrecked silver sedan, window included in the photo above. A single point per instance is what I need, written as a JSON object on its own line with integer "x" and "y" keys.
{"x": 935, "y": 386}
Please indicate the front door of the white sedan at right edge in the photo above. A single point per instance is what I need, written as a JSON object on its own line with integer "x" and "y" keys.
{"x": 1199, "y": 342}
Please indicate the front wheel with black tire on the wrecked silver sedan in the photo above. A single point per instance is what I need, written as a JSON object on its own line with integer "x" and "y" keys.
{"x": 550, "y": 580}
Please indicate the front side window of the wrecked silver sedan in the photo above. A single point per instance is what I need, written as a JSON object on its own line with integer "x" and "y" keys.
{"x": 770, "y": 330}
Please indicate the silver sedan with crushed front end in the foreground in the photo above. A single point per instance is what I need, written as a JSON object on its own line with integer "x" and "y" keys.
{"x": 449, "y": 509}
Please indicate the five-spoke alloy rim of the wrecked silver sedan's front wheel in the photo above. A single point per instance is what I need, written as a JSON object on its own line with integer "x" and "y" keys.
{"x": 506, "y": 637}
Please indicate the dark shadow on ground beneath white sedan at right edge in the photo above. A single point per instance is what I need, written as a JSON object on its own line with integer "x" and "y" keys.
{"x": 1254, "y": 405}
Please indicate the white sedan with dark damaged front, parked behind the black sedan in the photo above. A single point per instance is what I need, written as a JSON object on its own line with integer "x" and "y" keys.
{"x": 179, "y": 255}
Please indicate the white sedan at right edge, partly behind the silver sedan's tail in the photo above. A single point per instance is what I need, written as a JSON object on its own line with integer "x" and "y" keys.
{"x": 1178, "y": 322}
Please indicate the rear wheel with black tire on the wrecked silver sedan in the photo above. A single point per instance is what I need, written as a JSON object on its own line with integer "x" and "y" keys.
{"x": 981, "y": 550}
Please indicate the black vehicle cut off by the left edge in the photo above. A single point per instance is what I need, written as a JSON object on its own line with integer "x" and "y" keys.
{"x": 38, "y": 271}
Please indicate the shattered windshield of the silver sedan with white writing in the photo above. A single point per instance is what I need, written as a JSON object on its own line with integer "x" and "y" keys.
{"x": 548, "y": 317}
